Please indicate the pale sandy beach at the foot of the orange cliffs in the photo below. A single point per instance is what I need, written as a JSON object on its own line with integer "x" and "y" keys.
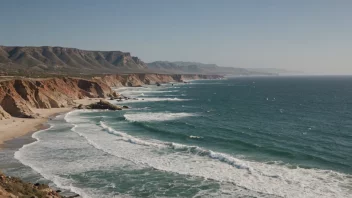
{"x": 16, "y": 127}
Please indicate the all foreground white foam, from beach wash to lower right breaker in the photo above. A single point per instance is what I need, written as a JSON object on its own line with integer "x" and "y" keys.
{"x": 272, "y": 179}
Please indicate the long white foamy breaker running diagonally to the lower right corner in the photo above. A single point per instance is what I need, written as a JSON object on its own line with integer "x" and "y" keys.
{"x": 272, "y": 179}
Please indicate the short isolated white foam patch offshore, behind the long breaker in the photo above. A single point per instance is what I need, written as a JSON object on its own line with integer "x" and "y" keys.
{"x": 151, "y": 117}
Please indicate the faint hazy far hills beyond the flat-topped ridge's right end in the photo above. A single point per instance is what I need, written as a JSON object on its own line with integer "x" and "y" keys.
{"x": 180, "y": 67}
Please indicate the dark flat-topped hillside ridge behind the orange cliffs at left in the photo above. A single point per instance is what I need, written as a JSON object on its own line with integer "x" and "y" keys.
{"x": 27, "y": 60}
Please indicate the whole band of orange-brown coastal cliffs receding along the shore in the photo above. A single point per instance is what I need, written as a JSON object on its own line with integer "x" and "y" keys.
{"x": 19, "y": 96}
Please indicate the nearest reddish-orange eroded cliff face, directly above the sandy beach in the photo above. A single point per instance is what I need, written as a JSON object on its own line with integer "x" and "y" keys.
{"x": 18, "y": 97}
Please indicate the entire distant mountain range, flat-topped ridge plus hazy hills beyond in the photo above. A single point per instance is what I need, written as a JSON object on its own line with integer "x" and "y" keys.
{"x": 16, "y": 60}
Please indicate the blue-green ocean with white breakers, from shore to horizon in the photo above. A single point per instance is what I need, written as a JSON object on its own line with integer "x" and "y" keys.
{"x": 237, "y": 137}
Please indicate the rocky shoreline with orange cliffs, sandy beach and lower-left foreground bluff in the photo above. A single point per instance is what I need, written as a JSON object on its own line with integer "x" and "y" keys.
{"x": 25, "y": 102}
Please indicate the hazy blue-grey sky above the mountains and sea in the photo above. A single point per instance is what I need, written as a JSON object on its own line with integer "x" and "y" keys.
{"x": 306, "y": 35}
